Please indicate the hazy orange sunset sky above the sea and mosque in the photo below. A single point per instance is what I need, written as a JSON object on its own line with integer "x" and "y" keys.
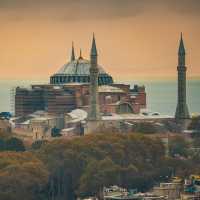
{"x": 136, "y": 39}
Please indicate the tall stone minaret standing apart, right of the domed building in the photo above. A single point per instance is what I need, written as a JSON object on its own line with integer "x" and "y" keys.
{"x": 182, "y": 108}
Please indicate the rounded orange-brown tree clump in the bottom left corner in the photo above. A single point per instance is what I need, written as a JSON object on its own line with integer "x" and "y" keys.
{"x": 22, "y": 177}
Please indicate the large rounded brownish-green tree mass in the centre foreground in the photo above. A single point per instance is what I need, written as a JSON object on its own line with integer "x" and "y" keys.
{"x": 86, "y": 164}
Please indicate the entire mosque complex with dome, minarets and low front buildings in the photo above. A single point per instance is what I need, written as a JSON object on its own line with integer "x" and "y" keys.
{"x": 82, "y": 98}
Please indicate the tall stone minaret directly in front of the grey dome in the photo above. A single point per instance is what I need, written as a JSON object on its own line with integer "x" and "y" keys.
{"x": 94, "y": 72}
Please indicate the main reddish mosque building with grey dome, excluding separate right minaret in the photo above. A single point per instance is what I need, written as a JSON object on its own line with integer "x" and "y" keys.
{"x": 70, "y": 89}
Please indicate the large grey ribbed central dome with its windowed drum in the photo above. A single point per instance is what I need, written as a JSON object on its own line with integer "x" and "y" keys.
{"x": 77, "y": 71}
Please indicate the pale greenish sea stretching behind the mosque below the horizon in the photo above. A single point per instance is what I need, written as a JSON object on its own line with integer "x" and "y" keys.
{"x": 161, "y": 95}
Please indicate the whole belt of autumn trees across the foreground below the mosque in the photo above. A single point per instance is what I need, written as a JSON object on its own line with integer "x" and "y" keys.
{"x": 65, "y": 169}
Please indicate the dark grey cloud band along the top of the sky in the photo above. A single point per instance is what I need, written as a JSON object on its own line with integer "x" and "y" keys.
{"x": 93, "y": 9}
